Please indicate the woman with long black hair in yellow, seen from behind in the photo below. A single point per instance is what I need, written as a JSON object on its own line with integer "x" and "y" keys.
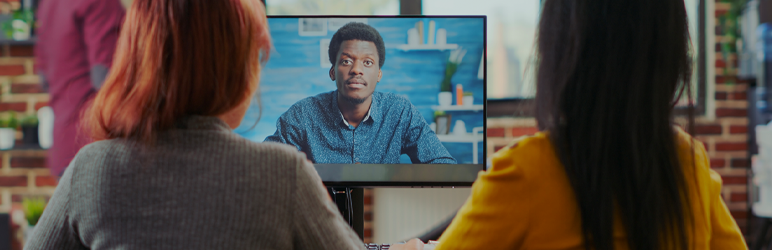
{"x": 609, "y": 170}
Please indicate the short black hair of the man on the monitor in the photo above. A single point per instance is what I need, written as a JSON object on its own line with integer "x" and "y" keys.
{"x": 357, "y": 31}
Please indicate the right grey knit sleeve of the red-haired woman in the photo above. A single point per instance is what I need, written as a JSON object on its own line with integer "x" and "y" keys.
{"x": 317, "y": 222}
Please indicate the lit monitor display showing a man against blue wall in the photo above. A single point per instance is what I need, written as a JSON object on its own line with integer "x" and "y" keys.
{"x": 426, "y": 99}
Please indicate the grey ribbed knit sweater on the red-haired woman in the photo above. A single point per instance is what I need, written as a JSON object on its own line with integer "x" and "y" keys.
{"x": 200, "y": 187}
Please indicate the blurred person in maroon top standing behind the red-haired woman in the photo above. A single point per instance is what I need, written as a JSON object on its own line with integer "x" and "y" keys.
{"x": 74, "y": 51}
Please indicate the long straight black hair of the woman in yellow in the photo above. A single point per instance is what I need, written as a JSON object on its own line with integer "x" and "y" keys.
{"x": 609, "y": 75}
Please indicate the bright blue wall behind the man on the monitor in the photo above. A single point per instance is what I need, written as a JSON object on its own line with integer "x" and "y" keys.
{"x": 295, "y": 71}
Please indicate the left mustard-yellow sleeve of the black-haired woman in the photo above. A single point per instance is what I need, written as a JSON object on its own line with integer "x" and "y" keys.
{"x": 499, "y": 197}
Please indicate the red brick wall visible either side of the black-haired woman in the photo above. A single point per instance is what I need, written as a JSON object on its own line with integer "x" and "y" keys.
{"x": 725, "y": 137}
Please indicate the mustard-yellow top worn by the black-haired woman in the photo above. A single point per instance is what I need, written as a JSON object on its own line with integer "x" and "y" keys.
{"x": 524, "y": 201}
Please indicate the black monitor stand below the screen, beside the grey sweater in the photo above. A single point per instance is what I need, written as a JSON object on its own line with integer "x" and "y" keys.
{"x": 350, "y": 202}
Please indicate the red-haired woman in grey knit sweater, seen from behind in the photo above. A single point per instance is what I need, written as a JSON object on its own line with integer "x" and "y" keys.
{"x": 166, "y": 170}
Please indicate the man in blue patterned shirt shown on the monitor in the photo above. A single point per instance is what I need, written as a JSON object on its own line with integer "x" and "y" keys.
{"x": 356, "y": 124}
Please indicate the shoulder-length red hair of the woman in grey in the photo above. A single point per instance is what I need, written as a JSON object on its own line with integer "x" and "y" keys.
{"x": 177, "y": 58}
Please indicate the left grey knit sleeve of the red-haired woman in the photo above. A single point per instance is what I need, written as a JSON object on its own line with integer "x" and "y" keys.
{"x": 55, "y": 230}
